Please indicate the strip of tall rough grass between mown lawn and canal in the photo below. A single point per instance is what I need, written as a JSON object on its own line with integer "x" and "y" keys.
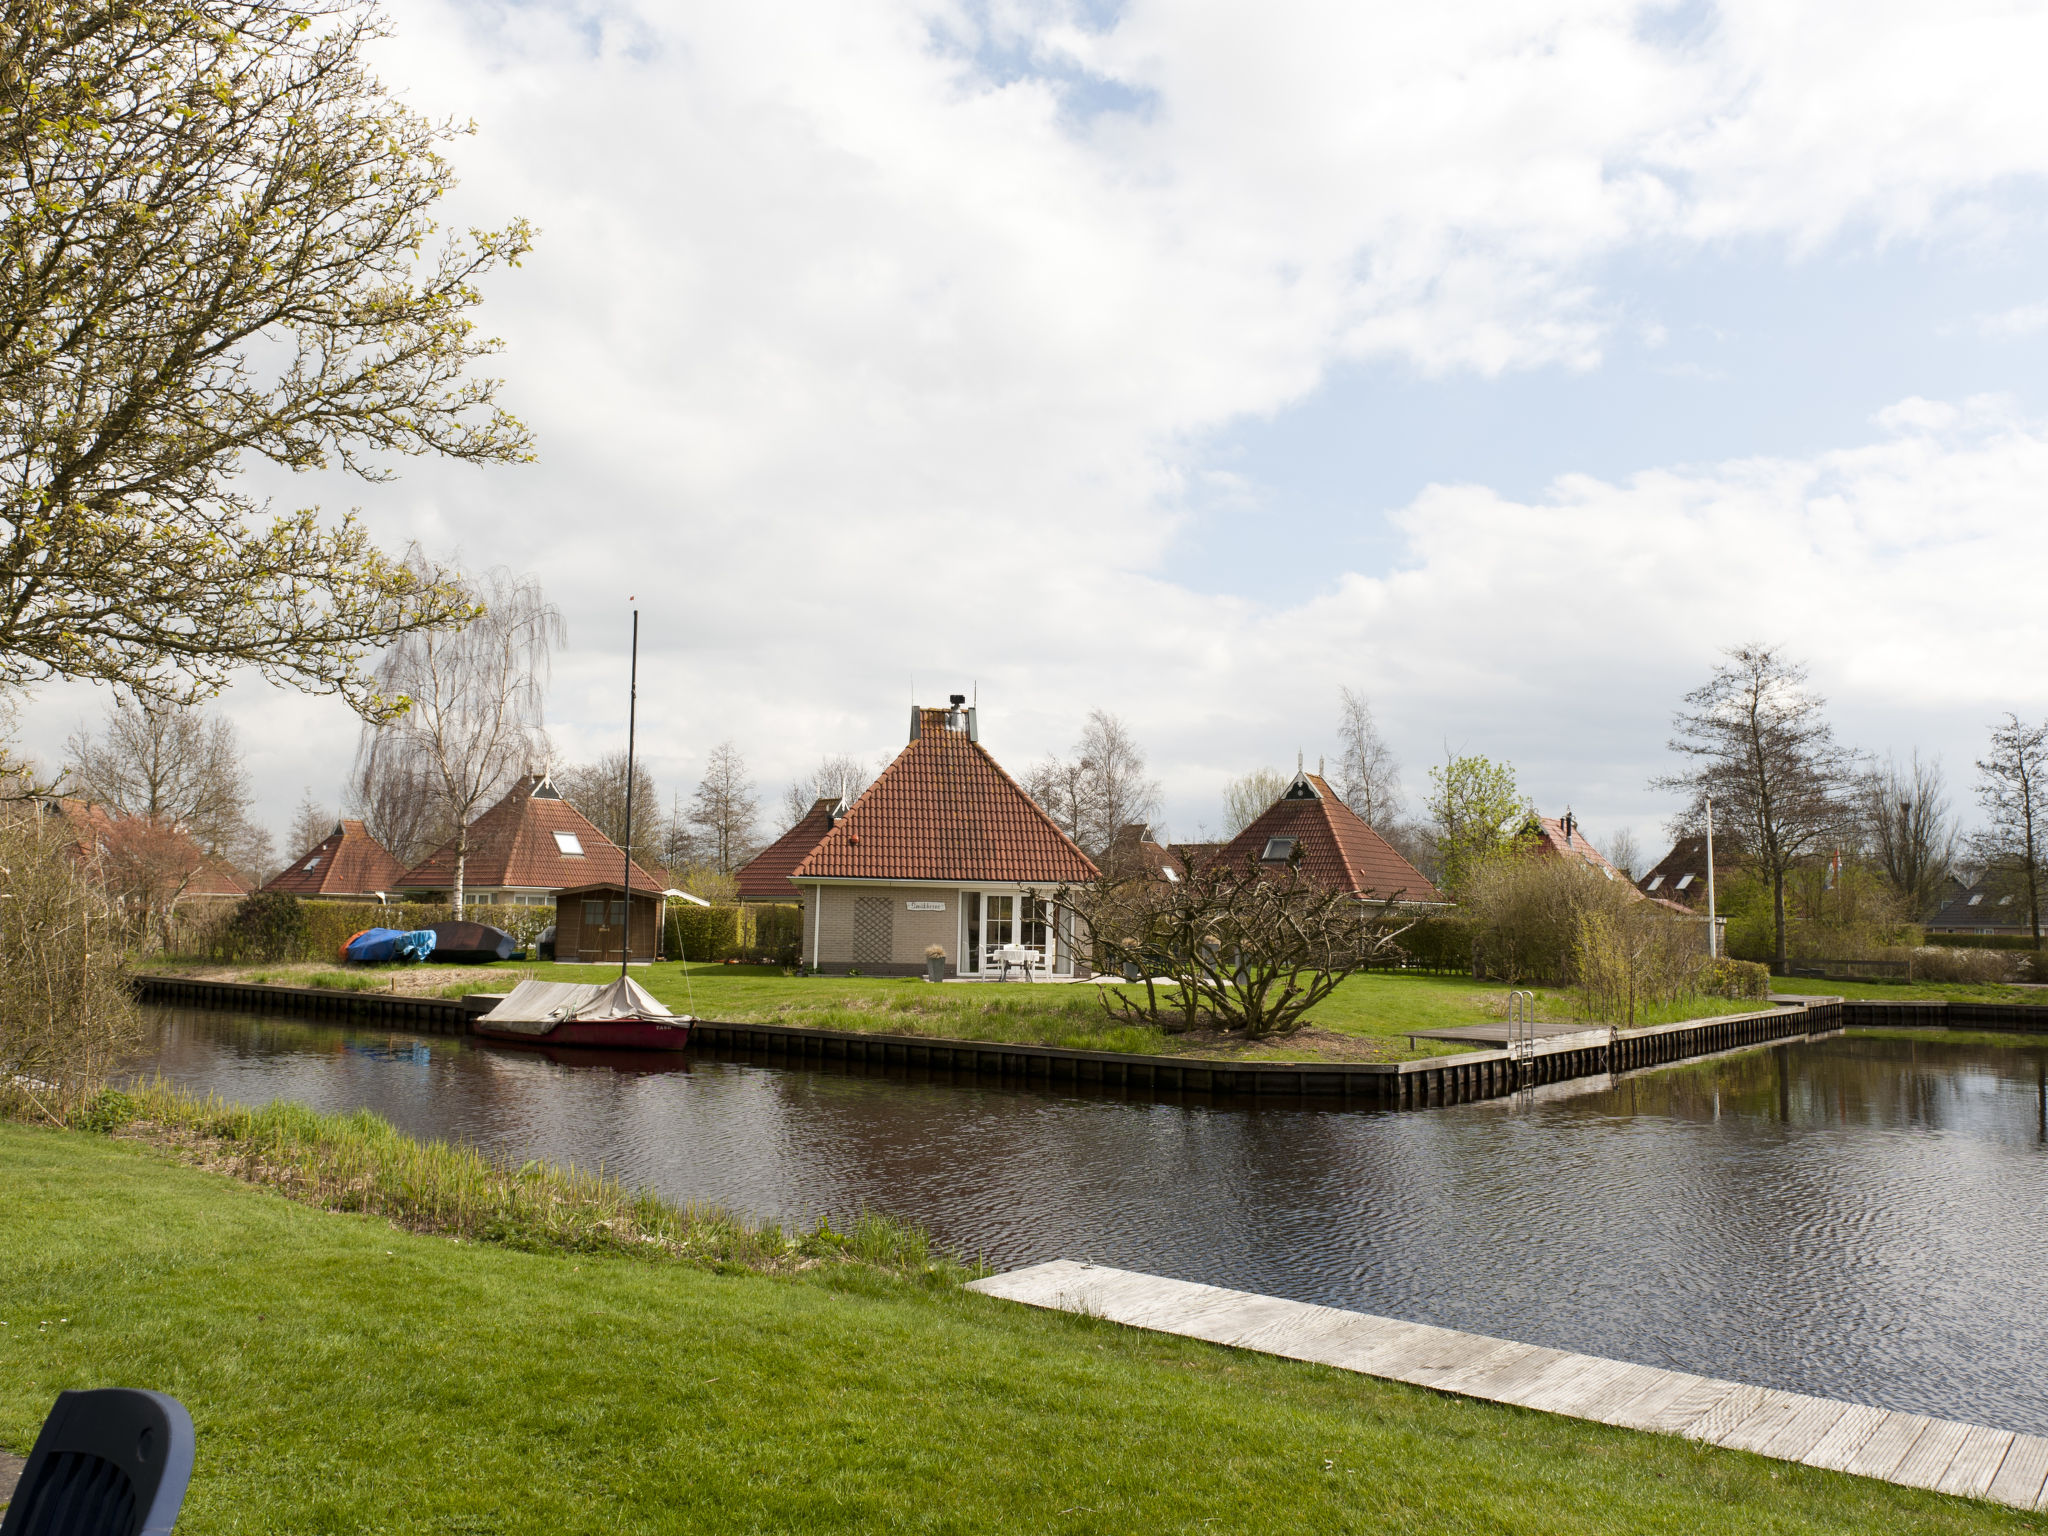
{"x": 364, "y": 1164}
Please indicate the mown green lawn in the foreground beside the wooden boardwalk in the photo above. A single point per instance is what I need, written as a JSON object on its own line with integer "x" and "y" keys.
{"x": 351, "y": 1377}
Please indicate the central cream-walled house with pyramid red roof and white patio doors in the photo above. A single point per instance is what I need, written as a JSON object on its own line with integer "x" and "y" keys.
{"x": 943, "y": 849}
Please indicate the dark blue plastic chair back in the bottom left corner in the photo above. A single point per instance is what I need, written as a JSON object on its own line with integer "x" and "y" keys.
{"x": 108, "y": 1463}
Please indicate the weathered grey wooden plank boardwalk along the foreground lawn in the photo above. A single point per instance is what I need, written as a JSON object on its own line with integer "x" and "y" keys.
{"x": 1906, "y": 1449}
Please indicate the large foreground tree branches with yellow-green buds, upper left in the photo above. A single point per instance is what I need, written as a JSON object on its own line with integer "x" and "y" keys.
{"x": 218, "y": 247}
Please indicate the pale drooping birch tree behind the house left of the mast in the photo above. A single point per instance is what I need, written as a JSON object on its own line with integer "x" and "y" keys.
{"x": 476, "y": 706}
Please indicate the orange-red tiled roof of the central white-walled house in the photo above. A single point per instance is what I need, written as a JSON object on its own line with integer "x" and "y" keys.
{"x": 945, "y": 812}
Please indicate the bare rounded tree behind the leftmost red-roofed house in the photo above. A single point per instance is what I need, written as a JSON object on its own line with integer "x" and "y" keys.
{"x": 175, "y": 767}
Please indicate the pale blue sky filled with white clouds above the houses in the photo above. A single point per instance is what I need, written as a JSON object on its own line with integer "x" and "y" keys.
{"x": 1191, "y": 361}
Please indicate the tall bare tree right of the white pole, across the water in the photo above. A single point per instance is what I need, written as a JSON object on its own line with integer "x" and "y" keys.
{"x": 1768, "y": 759}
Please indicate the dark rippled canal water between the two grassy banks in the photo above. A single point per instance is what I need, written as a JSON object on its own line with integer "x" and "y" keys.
{"x": 1861, "y": 1218}
